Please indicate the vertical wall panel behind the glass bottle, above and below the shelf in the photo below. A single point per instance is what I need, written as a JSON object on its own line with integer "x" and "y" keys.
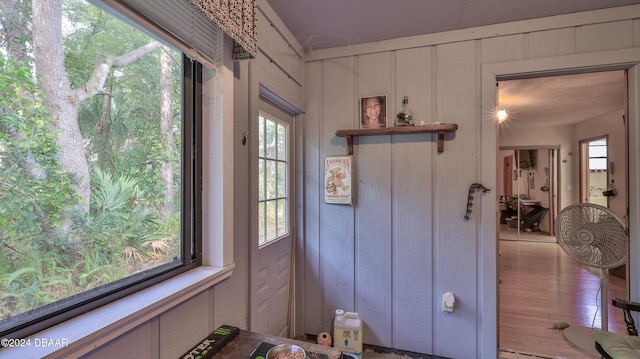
{"x": 412, "y": 214}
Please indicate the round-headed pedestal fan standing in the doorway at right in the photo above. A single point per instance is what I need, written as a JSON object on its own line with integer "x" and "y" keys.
{"x": 594, "y": 236}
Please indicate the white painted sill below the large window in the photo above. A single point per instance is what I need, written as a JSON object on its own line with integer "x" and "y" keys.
{"x": 89, "y": 331}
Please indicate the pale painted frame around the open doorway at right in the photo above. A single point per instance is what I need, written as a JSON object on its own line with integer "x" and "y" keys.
{"x": 628, "y": 59}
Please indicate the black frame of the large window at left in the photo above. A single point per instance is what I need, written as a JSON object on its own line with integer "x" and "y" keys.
{"x": 191, "y": 222}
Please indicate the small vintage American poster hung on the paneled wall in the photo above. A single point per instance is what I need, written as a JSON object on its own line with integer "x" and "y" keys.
{"x": 337, "y": 180}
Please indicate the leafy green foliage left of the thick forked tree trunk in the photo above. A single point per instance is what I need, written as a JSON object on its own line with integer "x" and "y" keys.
{"x": 29, "y": 206}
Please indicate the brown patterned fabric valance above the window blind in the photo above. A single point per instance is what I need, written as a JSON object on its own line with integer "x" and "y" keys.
{"x": 237, "y": 18}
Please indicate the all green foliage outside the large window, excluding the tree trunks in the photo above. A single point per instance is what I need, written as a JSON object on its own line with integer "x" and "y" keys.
{"x": 123, "y": 232}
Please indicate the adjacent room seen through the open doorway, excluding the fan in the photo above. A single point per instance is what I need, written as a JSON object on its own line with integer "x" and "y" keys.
{"x": 560, "y": 133}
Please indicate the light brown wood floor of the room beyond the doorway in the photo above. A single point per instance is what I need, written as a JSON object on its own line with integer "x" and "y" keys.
{"x": 541, "y": 285}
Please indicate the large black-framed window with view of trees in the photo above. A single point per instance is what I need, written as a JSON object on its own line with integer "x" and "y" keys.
{"x": 98, "y": 139}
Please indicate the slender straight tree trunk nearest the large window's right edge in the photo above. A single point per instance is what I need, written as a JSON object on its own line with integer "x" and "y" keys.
{"x": 166, "y": 130}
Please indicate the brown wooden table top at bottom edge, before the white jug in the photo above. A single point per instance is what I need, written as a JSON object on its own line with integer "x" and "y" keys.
{"x": 246, "y": 342}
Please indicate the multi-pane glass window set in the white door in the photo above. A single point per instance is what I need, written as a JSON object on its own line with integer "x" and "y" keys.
{"x": 273, "y": 178}
